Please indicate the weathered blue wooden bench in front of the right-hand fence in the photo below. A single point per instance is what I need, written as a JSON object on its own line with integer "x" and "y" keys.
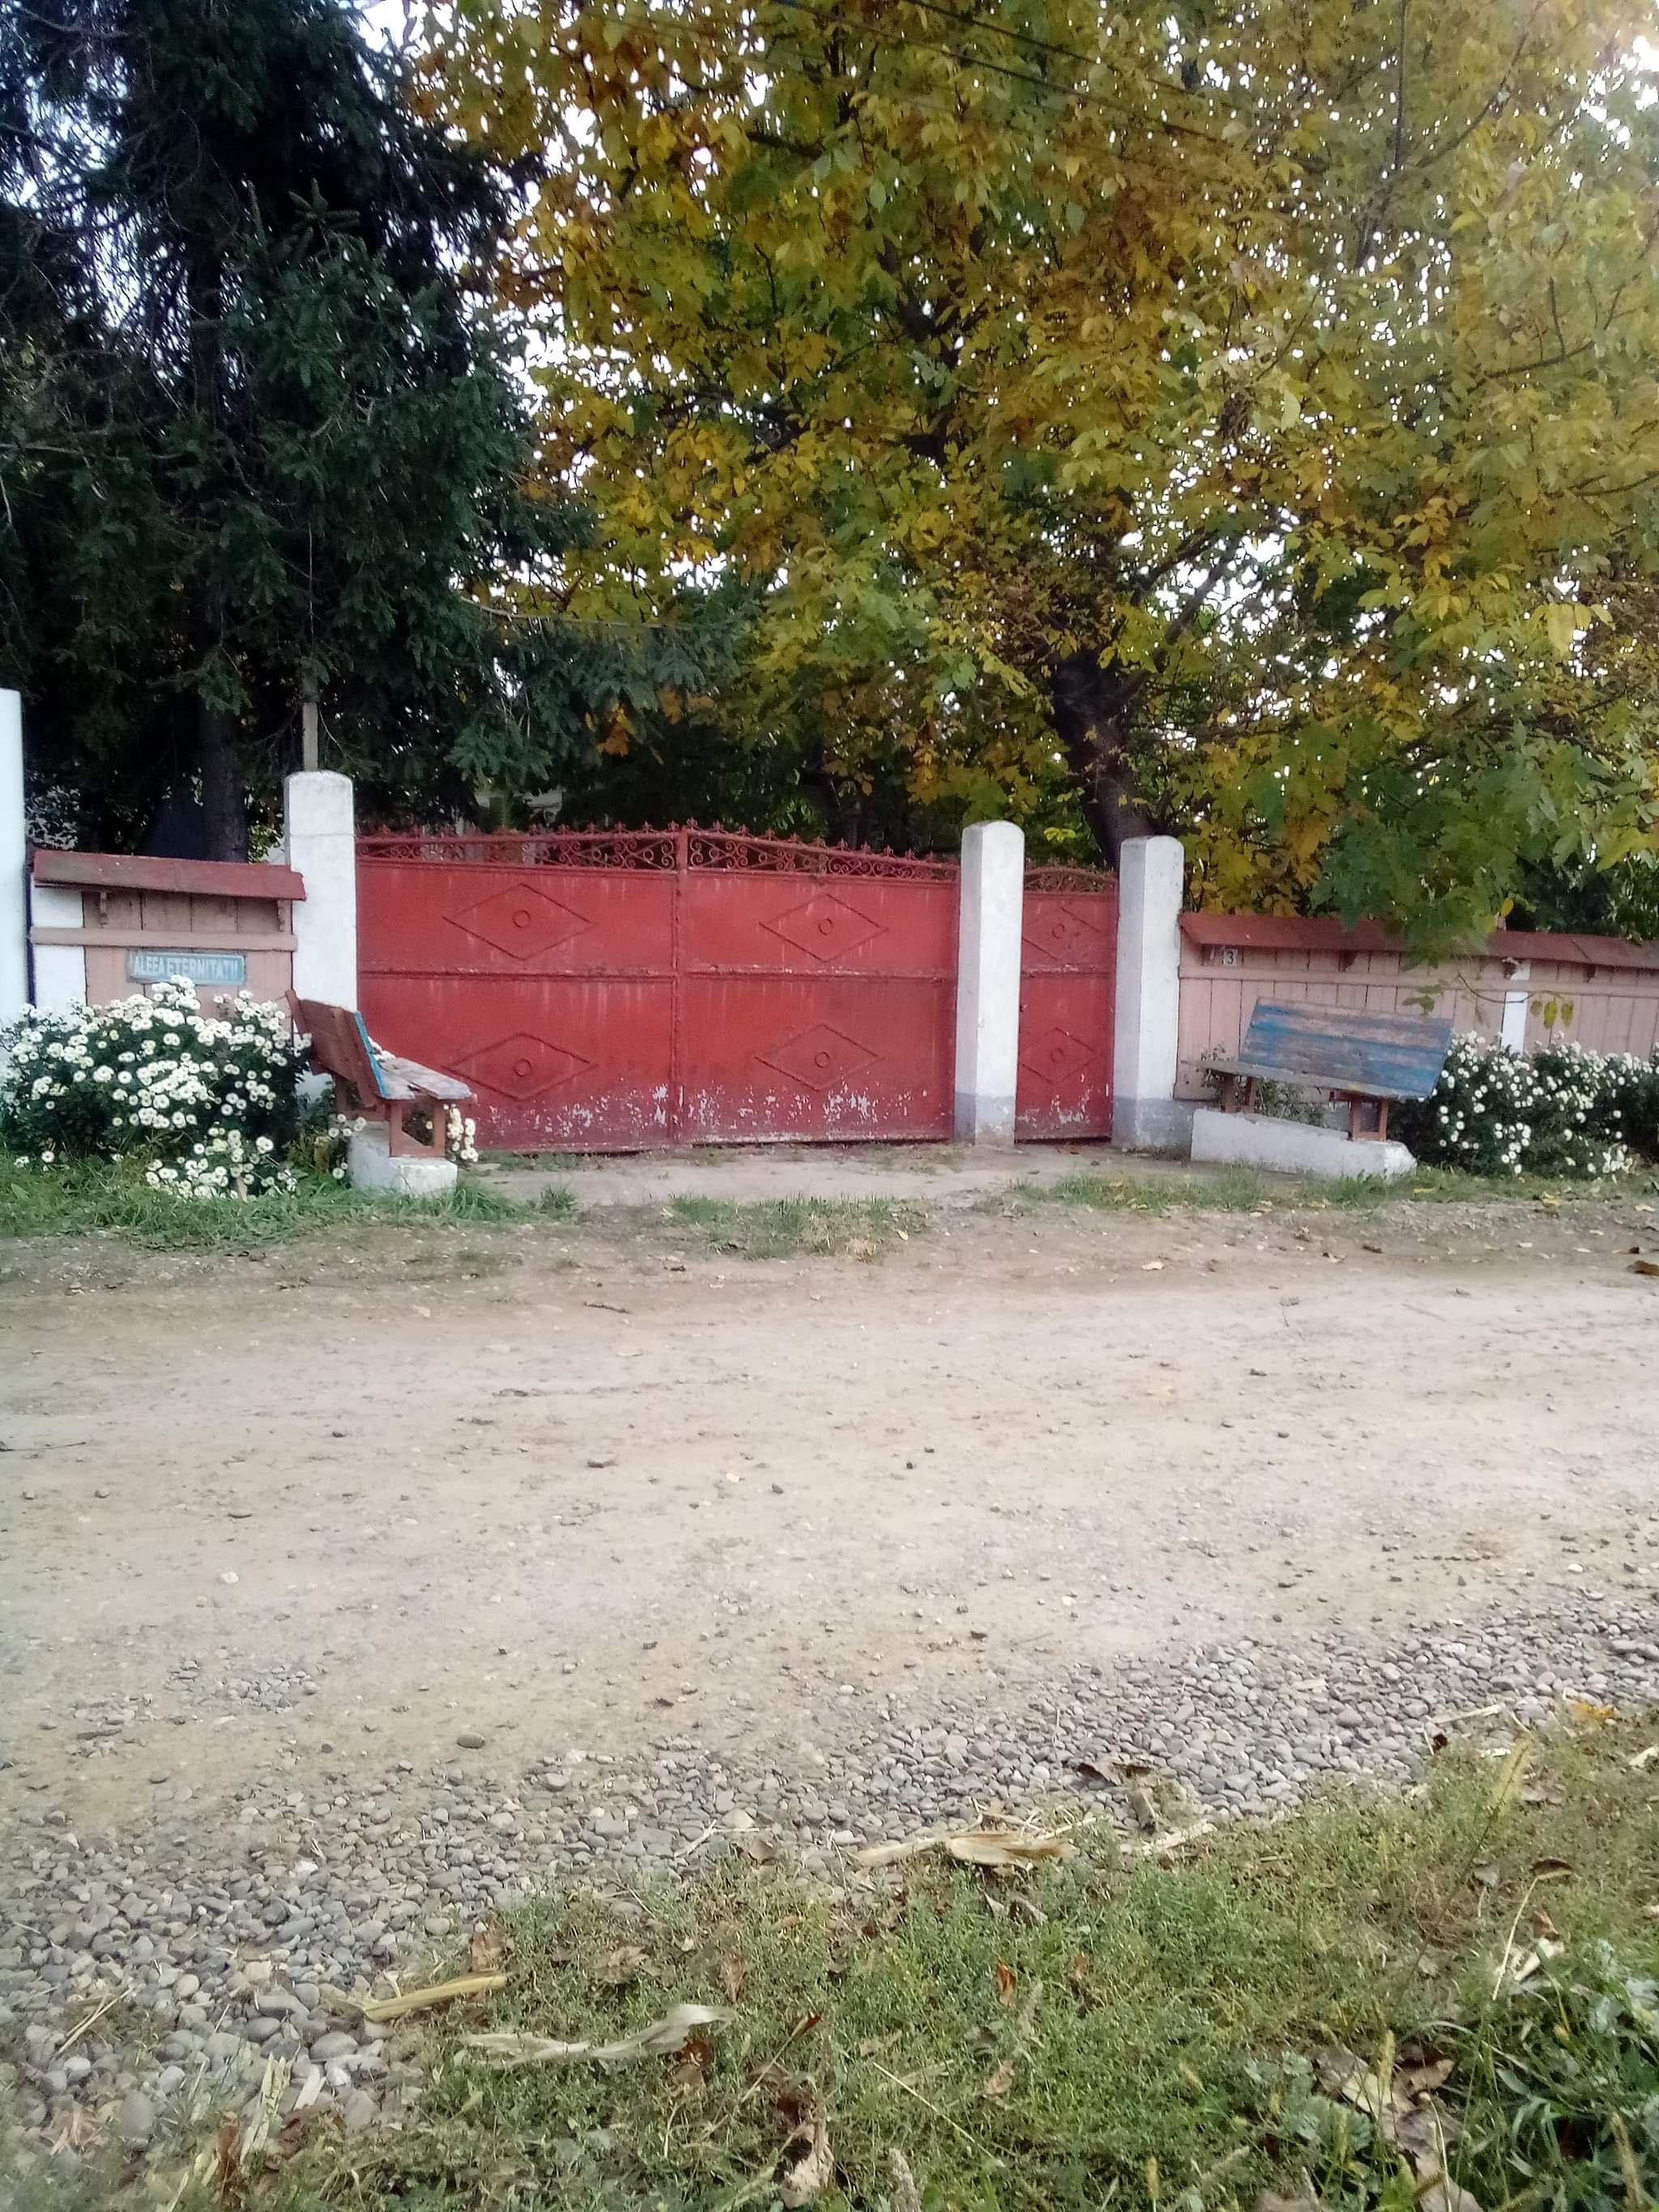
{"x": 1359, "y": 1058}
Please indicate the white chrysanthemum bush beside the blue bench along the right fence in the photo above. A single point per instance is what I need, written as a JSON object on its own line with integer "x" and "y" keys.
{"x": 1561, "y": 1112}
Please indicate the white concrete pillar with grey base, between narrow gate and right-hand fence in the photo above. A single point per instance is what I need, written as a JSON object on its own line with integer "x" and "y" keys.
{"x": 1149, "y": 994}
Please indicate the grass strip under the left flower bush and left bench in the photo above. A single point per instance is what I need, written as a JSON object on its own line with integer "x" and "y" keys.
{"x": 85, "y": 1198}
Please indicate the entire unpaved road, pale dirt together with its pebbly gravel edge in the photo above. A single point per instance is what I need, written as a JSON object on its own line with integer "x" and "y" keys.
{"x": 357, "y": 1589}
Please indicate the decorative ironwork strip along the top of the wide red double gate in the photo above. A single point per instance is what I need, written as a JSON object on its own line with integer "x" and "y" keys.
{"x": 654, "y": 851}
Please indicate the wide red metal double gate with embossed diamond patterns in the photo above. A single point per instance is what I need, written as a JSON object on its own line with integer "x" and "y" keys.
{"x": 614, "y": 992}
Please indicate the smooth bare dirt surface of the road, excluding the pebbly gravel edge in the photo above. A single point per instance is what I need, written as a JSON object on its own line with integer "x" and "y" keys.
{"x": 572, "y": 1488}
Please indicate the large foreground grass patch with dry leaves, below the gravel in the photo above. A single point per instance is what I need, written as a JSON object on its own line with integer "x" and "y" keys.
{"x": 1094, "y": 2034}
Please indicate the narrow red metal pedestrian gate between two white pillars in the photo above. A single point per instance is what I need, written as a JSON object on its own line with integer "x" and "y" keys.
{"x": 1067, "y": 985}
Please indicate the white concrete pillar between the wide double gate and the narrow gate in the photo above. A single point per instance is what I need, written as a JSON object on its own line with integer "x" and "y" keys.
{"x": 988, "y": 981}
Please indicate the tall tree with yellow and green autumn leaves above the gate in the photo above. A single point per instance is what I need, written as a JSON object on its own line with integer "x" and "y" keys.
{"x": 1238, "y": 406}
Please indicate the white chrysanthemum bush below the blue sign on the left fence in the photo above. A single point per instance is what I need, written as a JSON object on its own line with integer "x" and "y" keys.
{"x": 209, "y": 1103}
